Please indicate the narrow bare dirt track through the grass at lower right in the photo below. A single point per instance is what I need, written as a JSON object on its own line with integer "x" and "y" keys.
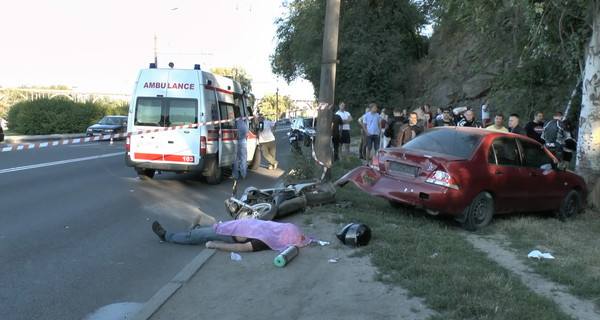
{"x": 577, "y": 308}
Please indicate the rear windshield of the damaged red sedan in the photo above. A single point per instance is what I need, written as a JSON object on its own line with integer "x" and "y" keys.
{"x": 456, "y": 143}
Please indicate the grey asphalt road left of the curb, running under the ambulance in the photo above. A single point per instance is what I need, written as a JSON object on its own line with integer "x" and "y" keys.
{"x": 75, "y": 231}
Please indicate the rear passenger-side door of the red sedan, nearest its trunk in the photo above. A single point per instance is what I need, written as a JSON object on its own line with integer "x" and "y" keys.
{"x": 504, "y": 166}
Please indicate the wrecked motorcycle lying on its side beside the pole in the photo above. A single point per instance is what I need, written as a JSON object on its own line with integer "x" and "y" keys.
{"x": 268, "y": 204}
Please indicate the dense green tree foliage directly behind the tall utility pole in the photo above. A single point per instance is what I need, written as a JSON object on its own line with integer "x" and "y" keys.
{"x": 378, "y": 39}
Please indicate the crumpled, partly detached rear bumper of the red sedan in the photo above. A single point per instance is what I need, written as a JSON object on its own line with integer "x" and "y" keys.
{"x": 435, "y": 199}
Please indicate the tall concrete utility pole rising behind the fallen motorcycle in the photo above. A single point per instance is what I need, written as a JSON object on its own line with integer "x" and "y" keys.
{"x": 327, "y": 83}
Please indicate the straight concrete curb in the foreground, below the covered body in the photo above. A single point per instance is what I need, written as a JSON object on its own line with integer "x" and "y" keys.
{"x": 152, "y": 305}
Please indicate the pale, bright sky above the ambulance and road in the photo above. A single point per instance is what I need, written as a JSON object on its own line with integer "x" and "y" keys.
{"x": 99, "y": 46}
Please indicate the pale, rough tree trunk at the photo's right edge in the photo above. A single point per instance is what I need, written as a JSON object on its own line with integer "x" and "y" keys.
{"x": 588, "y": 142}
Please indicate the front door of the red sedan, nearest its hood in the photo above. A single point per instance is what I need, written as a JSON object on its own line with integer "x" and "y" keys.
{"x": 542, "y": 182}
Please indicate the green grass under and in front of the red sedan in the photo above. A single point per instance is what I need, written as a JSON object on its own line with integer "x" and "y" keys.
{"x": 431, "y": 258}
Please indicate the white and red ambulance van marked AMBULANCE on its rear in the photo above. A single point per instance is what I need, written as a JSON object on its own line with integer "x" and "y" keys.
{"x": 182, "y": 120}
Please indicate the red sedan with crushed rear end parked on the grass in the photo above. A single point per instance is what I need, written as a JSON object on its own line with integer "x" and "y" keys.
{"x": 472, "y": 174}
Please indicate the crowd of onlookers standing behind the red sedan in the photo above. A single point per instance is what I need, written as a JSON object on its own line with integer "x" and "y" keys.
{"x": 382, "y": 130}
